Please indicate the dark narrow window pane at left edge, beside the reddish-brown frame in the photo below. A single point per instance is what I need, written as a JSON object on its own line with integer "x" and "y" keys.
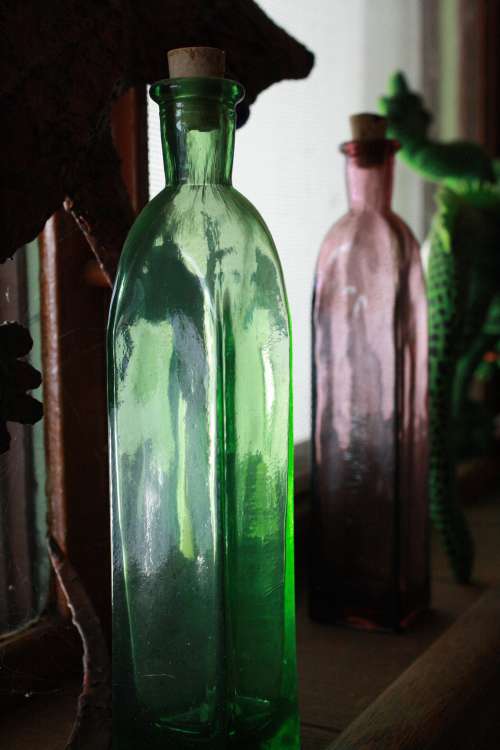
{"x": 24, "y": 566}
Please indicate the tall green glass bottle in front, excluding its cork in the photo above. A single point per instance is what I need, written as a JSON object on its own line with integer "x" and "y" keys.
{"x": 201, "y": 454}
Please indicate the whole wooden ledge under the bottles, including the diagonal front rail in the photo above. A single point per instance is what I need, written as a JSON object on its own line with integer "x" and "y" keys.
{"x": 436, "y": 687}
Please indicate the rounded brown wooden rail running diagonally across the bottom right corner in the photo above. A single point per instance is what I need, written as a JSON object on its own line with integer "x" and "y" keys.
{"x": 448, "y": 698}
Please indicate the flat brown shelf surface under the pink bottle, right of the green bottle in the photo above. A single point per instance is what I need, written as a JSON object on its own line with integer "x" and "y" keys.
{"x": 342, "y": 672}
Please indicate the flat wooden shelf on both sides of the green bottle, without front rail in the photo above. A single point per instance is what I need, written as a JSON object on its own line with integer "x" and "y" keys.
{"x": 342, "y": 672}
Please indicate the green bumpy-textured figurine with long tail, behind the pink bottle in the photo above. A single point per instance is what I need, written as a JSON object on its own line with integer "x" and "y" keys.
{"x": 463, "y": 280}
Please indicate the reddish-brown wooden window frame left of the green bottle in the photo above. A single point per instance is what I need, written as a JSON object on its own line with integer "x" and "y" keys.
{"x": 74, "y": 311}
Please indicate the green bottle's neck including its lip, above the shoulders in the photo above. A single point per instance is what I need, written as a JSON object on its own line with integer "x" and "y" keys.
{"x": 197, "y": 117}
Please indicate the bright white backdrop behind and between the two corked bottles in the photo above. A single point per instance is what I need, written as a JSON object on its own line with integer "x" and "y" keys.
{"x": 287, "y": 160}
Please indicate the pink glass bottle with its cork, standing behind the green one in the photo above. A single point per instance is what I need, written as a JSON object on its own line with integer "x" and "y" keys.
{"x": 369, "y": 535}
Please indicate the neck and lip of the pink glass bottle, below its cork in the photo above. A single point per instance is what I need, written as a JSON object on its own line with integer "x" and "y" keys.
{"x": 369, "y": 174}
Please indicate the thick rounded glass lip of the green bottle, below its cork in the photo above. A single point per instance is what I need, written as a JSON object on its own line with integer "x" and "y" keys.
{"x": 223, "y": 90}
